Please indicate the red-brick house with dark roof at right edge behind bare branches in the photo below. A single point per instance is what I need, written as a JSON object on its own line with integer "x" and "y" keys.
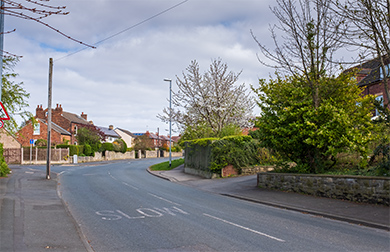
{"x": 370, "y": 76}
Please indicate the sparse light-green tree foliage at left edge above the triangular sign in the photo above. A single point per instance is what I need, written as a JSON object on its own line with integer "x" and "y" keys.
{"x": 14, "y": 96}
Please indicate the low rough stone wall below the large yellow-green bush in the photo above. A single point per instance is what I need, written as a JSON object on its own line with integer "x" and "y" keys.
{"x": 375, "y": 190}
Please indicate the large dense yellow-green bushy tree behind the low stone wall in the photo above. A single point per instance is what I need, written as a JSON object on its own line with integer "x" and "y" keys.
{"x": 311, "y": 135}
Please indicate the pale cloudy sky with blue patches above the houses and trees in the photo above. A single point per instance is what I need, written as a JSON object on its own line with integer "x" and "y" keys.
{"x": 121, "y": 82}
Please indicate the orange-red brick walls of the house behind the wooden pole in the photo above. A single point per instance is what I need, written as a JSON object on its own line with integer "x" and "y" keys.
{"x": 39, "y": 131}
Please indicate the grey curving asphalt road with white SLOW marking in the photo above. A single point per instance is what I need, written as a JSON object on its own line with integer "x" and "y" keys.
{"x": 121, "y": 207}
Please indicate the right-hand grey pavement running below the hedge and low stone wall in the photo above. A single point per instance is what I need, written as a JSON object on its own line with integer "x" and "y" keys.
{"x": 245, "y": 188}
